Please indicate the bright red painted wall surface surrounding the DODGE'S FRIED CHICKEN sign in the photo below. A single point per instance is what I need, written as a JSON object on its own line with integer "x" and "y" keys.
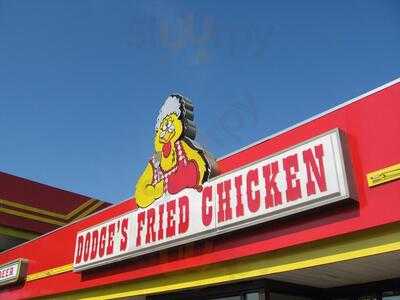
{"x": 372, "y": 127}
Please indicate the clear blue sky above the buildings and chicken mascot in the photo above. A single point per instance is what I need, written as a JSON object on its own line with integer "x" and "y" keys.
{"x": 81, "y": 82}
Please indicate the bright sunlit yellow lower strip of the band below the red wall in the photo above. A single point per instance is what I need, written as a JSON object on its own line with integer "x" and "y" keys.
{"x": 226, "y": 273}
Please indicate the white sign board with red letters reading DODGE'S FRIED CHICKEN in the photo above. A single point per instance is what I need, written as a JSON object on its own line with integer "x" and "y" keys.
{"x": 312, "y": 174}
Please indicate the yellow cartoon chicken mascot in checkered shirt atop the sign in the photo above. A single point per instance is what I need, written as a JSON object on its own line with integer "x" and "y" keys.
{"x": 178, "y": 162}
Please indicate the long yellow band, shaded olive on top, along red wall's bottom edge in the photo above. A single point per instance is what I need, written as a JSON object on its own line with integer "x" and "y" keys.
{"x": 372, "y": 242}
